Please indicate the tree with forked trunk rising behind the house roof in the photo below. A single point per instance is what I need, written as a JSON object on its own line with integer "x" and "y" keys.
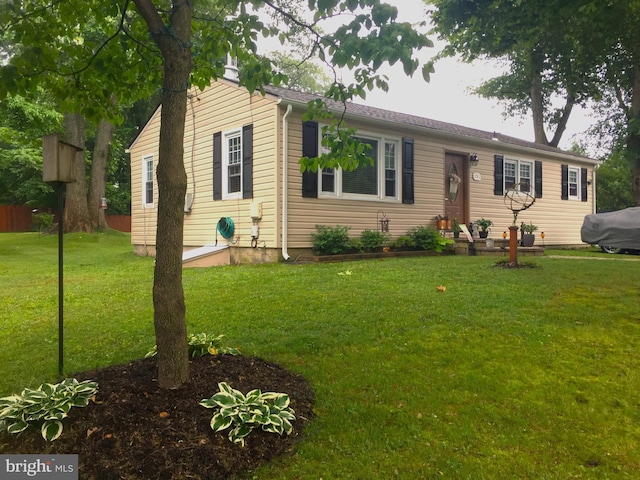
{"x": 547, "y": 76}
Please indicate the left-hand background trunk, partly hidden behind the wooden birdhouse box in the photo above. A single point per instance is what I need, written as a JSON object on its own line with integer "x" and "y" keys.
{"x": 76, "y": 212}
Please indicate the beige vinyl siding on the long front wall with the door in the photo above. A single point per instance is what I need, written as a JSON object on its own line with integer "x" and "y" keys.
{"x": 559, "y": 219}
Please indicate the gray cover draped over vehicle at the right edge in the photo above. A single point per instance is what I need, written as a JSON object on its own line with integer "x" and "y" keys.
{"x": 619, "y": 229}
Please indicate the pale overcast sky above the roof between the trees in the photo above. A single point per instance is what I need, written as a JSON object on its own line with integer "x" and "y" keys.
{"x": 447, "y": 96}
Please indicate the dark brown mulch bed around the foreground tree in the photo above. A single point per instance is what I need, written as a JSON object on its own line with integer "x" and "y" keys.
{"x": 135, "y": 430}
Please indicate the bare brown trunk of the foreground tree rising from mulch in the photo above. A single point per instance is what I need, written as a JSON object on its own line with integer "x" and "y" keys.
{"x": 168, "y": 296}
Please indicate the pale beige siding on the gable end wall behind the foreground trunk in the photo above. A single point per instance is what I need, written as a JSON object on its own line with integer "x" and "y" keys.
{"x": 221, "y": 107}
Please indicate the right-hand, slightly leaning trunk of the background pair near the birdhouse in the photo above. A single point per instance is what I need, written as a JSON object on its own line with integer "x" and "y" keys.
{"x": 104, "y": 134}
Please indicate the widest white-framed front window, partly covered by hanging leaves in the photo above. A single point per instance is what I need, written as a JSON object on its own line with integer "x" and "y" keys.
{"x": 379, "y": 181}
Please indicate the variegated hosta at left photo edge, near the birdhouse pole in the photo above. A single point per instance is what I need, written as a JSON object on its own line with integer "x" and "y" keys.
{"x": 44, "y": 407}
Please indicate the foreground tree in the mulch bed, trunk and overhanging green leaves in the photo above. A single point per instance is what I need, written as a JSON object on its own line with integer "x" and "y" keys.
{"x": 178, "y": 44}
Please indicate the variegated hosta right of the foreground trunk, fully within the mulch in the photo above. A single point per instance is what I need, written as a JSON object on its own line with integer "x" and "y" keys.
{"x": 243, "y": 413}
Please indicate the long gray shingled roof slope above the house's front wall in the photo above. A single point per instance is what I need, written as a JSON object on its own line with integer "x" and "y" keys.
{"x": 413, "y": 121}
